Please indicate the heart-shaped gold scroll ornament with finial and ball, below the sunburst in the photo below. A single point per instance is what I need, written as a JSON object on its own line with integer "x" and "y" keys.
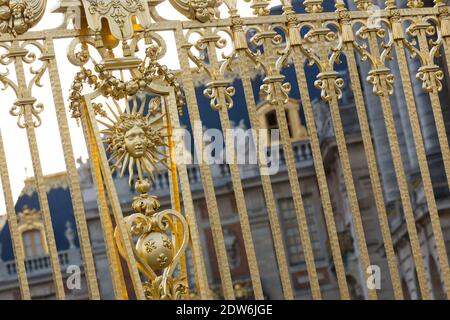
{"x": 156, "y": 253}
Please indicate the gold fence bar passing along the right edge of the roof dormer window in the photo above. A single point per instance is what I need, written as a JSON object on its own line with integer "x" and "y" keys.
{"x": 320, "y": 174}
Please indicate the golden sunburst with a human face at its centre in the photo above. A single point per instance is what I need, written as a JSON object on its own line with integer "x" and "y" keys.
{"x": 134, "y": 140}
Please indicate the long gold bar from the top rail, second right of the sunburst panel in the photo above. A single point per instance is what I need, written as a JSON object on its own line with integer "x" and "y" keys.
{"x": 205, "y": 171}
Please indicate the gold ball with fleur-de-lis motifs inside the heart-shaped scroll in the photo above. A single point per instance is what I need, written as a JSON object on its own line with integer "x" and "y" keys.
{"x": 156, "y": 249}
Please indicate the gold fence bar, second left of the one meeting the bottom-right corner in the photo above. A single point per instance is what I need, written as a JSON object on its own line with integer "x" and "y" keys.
{"x": 373, "y": 172}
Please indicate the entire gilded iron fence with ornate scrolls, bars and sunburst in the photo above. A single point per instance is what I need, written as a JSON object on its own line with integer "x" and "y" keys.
{"x": 124, "y": 93}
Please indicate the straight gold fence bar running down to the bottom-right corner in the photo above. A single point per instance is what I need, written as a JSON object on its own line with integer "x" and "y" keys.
{"x": 423, "y": 164}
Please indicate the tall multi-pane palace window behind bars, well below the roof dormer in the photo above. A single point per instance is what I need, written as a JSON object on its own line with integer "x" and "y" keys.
{"x": 291, "y": 232}
